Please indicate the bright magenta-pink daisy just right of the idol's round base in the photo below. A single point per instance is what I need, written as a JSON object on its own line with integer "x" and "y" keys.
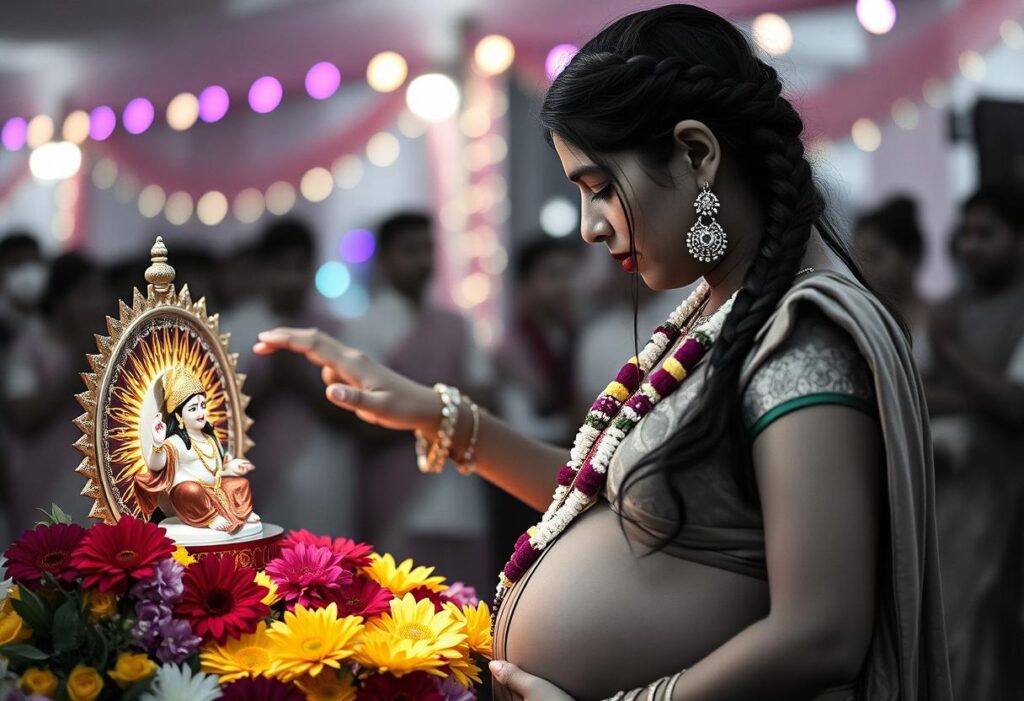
{"x": 310, "y": 576}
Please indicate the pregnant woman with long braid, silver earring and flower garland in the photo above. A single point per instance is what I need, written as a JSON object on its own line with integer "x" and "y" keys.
{"x": 748, "y": 510}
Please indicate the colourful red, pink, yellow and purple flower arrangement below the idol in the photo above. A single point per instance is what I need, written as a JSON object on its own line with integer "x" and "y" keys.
{"x": 119, "y": 612}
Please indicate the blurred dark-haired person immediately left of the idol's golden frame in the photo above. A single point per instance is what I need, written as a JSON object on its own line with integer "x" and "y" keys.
{"x": 39, "y": 382}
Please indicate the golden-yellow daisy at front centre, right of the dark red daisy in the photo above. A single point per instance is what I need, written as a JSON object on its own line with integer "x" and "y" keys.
{"x": 310, "y": 640}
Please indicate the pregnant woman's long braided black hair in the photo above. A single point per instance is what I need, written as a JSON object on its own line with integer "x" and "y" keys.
{"x": 625, "y": 92}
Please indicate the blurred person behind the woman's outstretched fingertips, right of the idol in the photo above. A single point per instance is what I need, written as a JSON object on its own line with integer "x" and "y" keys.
{"x": 304, "y": 452}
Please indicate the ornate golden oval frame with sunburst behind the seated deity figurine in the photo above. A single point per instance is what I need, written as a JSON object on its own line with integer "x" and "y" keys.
{"x": 157, "y": 332}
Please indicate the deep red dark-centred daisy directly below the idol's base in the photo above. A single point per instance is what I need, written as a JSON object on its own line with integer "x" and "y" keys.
{"x": 221, "y": 599}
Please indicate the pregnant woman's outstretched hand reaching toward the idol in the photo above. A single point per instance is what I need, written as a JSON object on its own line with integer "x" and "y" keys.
{"x": 355, "y": 382}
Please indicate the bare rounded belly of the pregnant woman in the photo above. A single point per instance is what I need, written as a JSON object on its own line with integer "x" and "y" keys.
{"x": 596, "y": 615}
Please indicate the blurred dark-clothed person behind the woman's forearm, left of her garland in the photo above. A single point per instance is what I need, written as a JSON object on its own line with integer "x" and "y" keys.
{"x": 536, "y": 360}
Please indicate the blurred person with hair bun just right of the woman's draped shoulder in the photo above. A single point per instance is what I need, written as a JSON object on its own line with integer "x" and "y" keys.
{"x": 890, "y": 246}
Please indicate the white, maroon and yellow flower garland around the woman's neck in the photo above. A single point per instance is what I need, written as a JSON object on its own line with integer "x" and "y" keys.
{"x": 617, "y": 412}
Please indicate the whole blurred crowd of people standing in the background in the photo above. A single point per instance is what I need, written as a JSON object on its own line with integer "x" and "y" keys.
{"x": 321, "y": 469}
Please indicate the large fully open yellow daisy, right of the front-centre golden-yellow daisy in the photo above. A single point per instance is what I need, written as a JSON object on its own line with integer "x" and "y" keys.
{"x": 412, "y": 638}
